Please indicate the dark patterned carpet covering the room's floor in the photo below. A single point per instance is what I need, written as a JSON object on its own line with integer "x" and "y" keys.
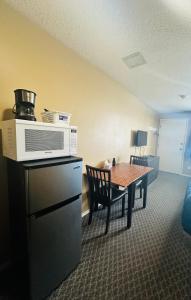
{"x": 148, "y": 261}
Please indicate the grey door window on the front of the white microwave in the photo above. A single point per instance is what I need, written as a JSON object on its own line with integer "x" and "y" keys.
{"x": 43, "y": 140}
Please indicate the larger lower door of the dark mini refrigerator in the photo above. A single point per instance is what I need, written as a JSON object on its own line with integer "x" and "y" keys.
{"x": 54, "y": 247}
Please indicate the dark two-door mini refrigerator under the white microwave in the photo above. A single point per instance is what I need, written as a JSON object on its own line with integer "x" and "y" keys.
{"x": 45, "y": 214}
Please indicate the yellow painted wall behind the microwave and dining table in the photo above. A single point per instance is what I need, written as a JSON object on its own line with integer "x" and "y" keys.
{"x": 104, "y": 111}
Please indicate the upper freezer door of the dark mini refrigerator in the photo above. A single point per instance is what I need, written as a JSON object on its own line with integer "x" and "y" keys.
{"x": 51, "y": 185}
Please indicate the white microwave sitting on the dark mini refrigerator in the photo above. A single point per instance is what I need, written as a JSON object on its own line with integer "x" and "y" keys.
{"x": 27, "y": 140}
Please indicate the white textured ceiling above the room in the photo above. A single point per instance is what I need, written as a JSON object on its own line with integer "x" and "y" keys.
{"x": 105, "y": 31}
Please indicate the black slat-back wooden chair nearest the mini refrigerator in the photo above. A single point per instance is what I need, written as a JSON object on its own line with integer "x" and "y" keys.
{"x": 102, "y": 192}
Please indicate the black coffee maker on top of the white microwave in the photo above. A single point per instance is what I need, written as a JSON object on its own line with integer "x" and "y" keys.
{"x": 24, "y": 104}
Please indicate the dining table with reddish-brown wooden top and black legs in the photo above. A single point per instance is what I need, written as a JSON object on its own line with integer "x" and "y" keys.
{"x": 126, "y": 175}
